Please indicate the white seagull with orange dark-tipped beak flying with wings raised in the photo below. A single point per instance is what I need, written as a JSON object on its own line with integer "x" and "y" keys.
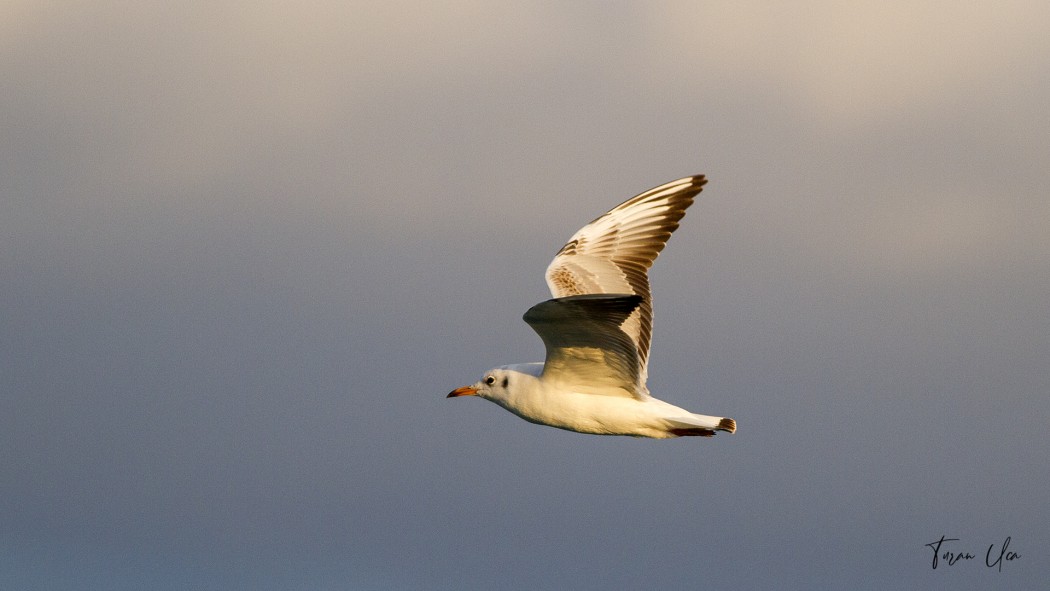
{"x": 598, "y": 328}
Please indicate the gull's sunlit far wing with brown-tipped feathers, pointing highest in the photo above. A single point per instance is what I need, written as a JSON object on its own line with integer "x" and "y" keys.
{"x": 614, "y": 254}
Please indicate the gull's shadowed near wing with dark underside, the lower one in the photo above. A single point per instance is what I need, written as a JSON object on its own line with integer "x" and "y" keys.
{"x": 586, "y": 347}
